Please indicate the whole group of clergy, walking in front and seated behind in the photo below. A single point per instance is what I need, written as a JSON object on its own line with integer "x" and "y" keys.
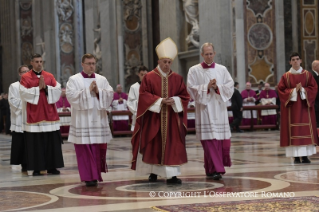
{"x": 159, "y": 102}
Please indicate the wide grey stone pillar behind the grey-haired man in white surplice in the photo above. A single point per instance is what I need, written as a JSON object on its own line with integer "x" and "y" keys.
{"x": 215, "y": 23}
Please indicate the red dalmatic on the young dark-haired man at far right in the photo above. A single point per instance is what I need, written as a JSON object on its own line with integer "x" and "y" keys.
{"x": 298, "y": 120}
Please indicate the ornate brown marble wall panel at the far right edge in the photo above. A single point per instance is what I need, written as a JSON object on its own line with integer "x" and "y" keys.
{"x": 309, "y": 32}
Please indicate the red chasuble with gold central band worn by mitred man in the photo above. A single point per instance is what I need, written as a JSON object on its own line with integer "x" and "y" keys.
{"x": 160, "y": 137}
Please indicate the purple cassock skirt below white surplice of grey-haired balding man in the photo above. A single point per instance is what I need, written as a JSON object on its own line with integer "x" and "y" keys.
{"x": 216, "y": 155}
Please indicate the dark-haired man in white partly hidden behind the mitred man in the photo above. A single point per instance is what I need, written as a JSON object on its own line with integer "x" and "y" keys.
{"x": 133, "y": 95}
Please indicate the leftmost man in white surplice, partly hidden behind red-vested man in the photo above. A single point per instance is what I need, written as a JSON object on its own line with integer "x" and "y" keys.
{"x": 18, "y": 154}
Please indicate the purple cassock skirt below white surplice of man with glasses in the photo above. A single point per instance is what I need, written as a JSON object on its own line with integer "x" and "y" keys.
{"x": 91, "y": 160}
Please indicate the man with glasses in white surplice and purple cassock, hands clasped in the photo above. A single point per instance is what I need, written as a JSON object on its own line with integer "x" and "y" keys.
{"x": 90, "y": 95}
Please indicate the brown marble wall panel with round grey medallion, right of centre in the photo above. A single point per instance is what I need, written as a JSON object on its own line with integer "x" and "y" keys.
{"x": 260, "y": 44}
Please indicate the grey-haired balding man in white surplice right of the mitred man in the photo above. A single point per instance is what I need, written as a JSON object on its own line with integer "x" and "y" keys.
{"x": 211, "y": 86}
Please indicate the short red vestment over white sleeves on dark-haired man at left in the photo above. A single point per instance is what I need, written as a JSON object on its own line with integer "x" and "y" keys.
{"x": 43, "y": 111}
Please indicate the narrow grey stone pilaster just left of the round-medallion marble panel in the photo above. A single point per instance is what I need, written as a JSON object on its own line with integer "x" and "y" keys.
{"x": 240, "y": 44}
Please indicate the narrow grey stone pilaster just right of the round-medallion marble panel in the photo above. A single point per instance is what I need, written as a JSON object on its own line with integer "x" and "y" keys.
{"x": 280, "y": 39}
